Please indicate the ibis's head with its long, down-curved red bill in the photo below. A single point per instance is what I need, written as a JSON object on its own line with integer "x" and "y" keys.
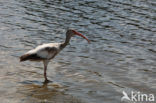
{"x": 71, "y": 32}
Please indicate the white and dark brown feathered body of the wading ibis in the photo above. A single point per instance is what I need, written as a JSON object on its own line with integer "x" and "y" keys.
{"x": 42, "y": 52}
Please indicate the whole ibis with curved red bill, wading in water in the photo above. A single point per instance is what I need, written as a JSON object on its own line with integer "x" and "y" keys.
{"x": 46, "y": 52}
